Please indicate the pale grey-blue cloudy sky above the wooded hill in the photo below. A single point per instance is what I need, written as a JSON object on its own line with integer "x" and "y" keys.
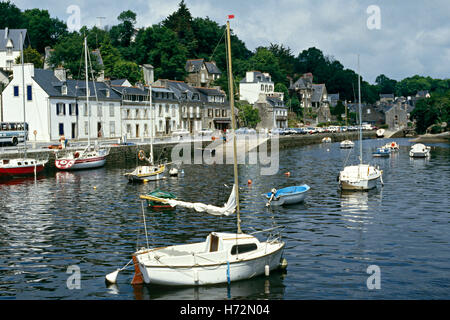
{"x": 413, "y": 36}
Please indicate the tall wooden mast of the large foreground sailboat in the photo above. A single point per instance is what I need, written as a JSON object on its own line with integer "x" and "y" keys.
{"x": 233, "y": 124}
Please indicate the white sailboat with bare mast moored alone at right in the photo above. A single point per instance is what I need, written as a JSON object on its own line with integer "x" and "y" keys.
{"x": 361, "y": 176}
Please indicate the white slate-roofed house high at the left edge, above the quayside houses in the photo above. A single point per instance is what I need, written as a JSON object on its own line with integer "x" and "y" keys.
{"x": 10, "y": 46}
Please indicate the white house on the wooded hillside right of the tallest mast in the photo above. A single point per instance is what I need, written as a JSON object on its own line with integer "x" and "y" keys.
{"x": 254, "y": 84}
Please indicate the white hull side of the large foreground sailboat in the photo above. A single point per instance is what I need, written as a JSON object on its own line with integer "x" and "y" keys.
{"x": 195, "y": 275}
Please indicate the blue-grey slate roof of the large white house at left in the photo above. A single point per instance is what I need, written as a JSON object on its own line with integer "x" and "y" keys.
{"x": 75, "y": 88}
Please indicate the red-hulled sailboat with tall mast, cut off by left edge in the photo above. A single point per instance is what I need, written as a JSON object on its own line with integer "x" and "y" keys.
{"x": 21, "y": 166}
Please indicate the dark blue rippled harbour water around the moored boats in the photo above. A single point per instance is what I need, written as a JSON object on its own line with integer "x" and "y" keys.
{"x": 62, "y": 220}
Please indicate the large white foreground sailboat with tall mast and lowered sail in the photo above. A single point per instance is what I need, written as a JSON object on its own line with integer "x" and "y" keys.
{"x": 222, "y": 257}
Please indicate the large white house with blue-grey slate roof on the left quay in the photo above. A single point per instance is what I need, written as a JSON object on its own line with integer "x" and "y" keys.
{"x": 56, "y": 106}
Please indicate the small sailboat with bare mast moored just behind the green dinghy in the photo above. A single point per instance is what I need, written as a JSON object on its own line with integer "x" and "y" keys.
{"x": 152, "y": 171}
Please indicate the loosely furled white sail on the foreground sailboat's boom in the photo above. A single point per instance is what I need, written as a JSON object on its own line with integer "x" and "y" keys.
{"x": 226, "y": 210}
